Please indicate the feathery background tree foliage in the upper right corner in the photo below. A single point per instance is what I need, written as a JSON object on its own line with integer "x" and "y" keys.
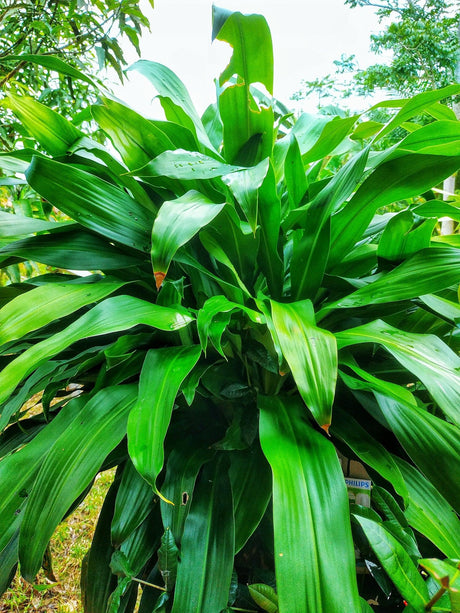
{"x": 421, "y": 38}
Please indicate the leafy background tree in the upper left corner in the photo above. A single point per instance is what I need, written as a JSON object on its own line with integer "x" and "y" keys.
{"x": 83, "y": 33}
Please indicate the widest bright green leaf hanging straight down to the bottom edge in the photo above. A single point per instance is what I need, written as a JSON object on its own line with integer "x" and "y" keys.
{"x": 310, "y": 506}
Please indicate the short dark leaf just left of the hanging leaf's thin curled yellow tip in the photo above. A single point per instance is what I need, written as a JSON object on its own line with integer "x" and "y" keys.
{"x": 135, "y": 500}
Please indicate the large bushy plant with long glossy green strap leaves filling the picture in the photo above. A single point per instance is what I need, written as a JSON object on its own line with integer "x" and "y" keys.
{"x": 241, "y": 295}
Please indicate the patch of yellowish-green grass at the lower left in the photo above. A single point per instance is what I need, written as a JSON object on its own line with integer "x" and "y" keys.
{"x": 69, "y": 544}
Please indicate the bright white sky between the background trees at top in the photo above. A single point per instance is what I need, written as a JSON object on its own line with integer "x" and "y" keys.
{"x": 307, "y": 36}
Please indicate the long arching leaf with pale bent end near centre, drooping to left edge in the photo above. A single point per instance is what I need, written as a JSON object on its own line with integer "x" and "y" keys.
{"x": 111, "y": 315}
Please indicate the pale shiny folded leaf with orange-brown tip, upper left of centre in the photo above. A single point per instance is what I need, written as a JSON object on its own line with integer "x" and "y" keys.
{"x": 176, "y": 223}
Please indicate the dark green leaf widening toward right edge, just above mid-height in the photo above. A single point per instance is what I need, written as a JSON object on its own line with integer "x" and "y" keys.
{"x": 429, "y": 270}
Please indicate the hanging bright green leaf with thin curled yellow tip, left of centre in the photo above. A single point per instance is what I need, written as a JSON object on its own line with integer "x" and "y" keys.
{"x": 162, "y": 374}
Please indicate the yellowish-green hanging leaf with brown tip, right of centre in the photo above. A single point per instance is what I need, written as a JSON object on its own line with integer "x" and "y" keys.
{"x": 311, "y": 353}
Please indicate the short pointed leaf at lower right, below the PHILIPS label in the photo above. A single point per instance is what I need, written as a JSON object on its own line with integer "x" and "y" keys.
{"x": 397, "y": 563}
